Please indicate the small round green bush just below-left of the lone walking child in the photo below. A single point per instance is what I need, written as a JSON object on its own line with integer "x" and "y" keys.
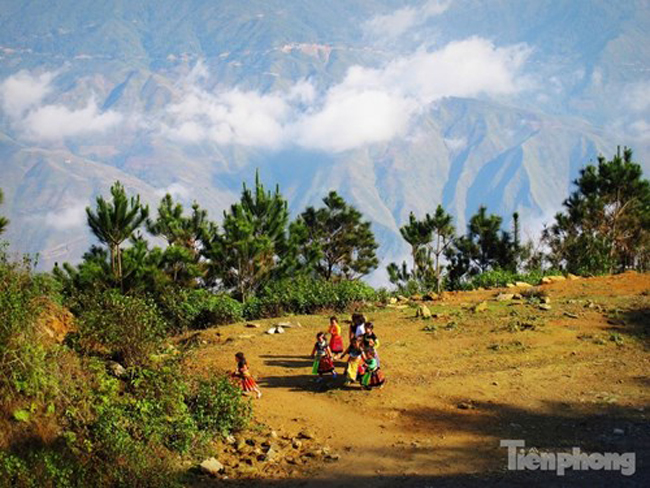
{"x": 218, "y": 406}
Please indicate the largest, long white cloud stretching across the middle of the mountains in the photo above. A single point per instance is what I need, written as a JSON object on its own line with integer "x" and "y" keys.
{"x": 369, "y": 105}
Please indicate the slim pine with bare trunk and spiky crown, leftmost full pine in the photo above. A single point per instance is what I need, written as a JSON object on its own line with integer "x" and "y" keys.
{"x": 116, "y": 221}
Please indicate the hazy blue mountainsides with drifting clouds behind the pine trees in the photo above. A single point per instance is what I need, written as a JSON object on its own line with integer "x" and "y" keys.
{"x": 191, "y": 98}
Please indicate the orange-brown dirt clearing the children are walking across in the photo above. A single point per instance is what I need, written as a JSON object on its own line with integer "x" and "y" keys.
{"x": 557, "y": 378}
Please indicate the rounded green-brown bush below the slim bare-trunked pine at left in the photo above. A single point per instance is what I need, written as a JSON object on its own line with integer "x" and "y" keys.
{"x": 129, "y": 328}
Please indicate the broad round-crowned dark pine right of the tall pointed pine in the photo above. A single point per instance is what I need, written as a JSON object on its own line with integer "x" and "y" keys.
{"x": 335, "y": 241}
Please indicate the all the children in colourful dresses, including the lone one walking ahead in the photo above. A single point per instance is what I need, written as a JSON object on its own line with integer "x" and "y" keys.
{"x": 362, "y": 365}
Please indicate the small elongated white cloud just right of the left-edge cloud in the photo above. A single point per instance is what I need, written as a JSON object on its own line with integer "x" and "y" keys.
{"x": 55, "y": 122}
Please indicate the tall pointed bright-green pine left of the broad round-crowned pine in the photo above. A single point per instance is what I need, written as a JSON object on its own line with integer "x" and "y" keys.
{"x": 250, "y": 248}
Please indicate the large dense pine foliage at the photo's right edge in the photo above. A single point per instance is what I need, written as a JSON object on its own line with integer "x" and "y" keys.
{"x": 606, "y": 224}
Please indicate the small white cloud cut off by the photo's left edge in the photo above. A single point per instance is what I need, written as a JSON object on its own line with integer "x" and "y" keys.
{"x": 23, "y": 90}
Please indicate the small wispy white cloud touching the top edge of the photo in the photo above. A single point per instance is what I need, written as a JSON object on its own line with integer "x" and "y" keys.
{"x": 402, "y": 20}
